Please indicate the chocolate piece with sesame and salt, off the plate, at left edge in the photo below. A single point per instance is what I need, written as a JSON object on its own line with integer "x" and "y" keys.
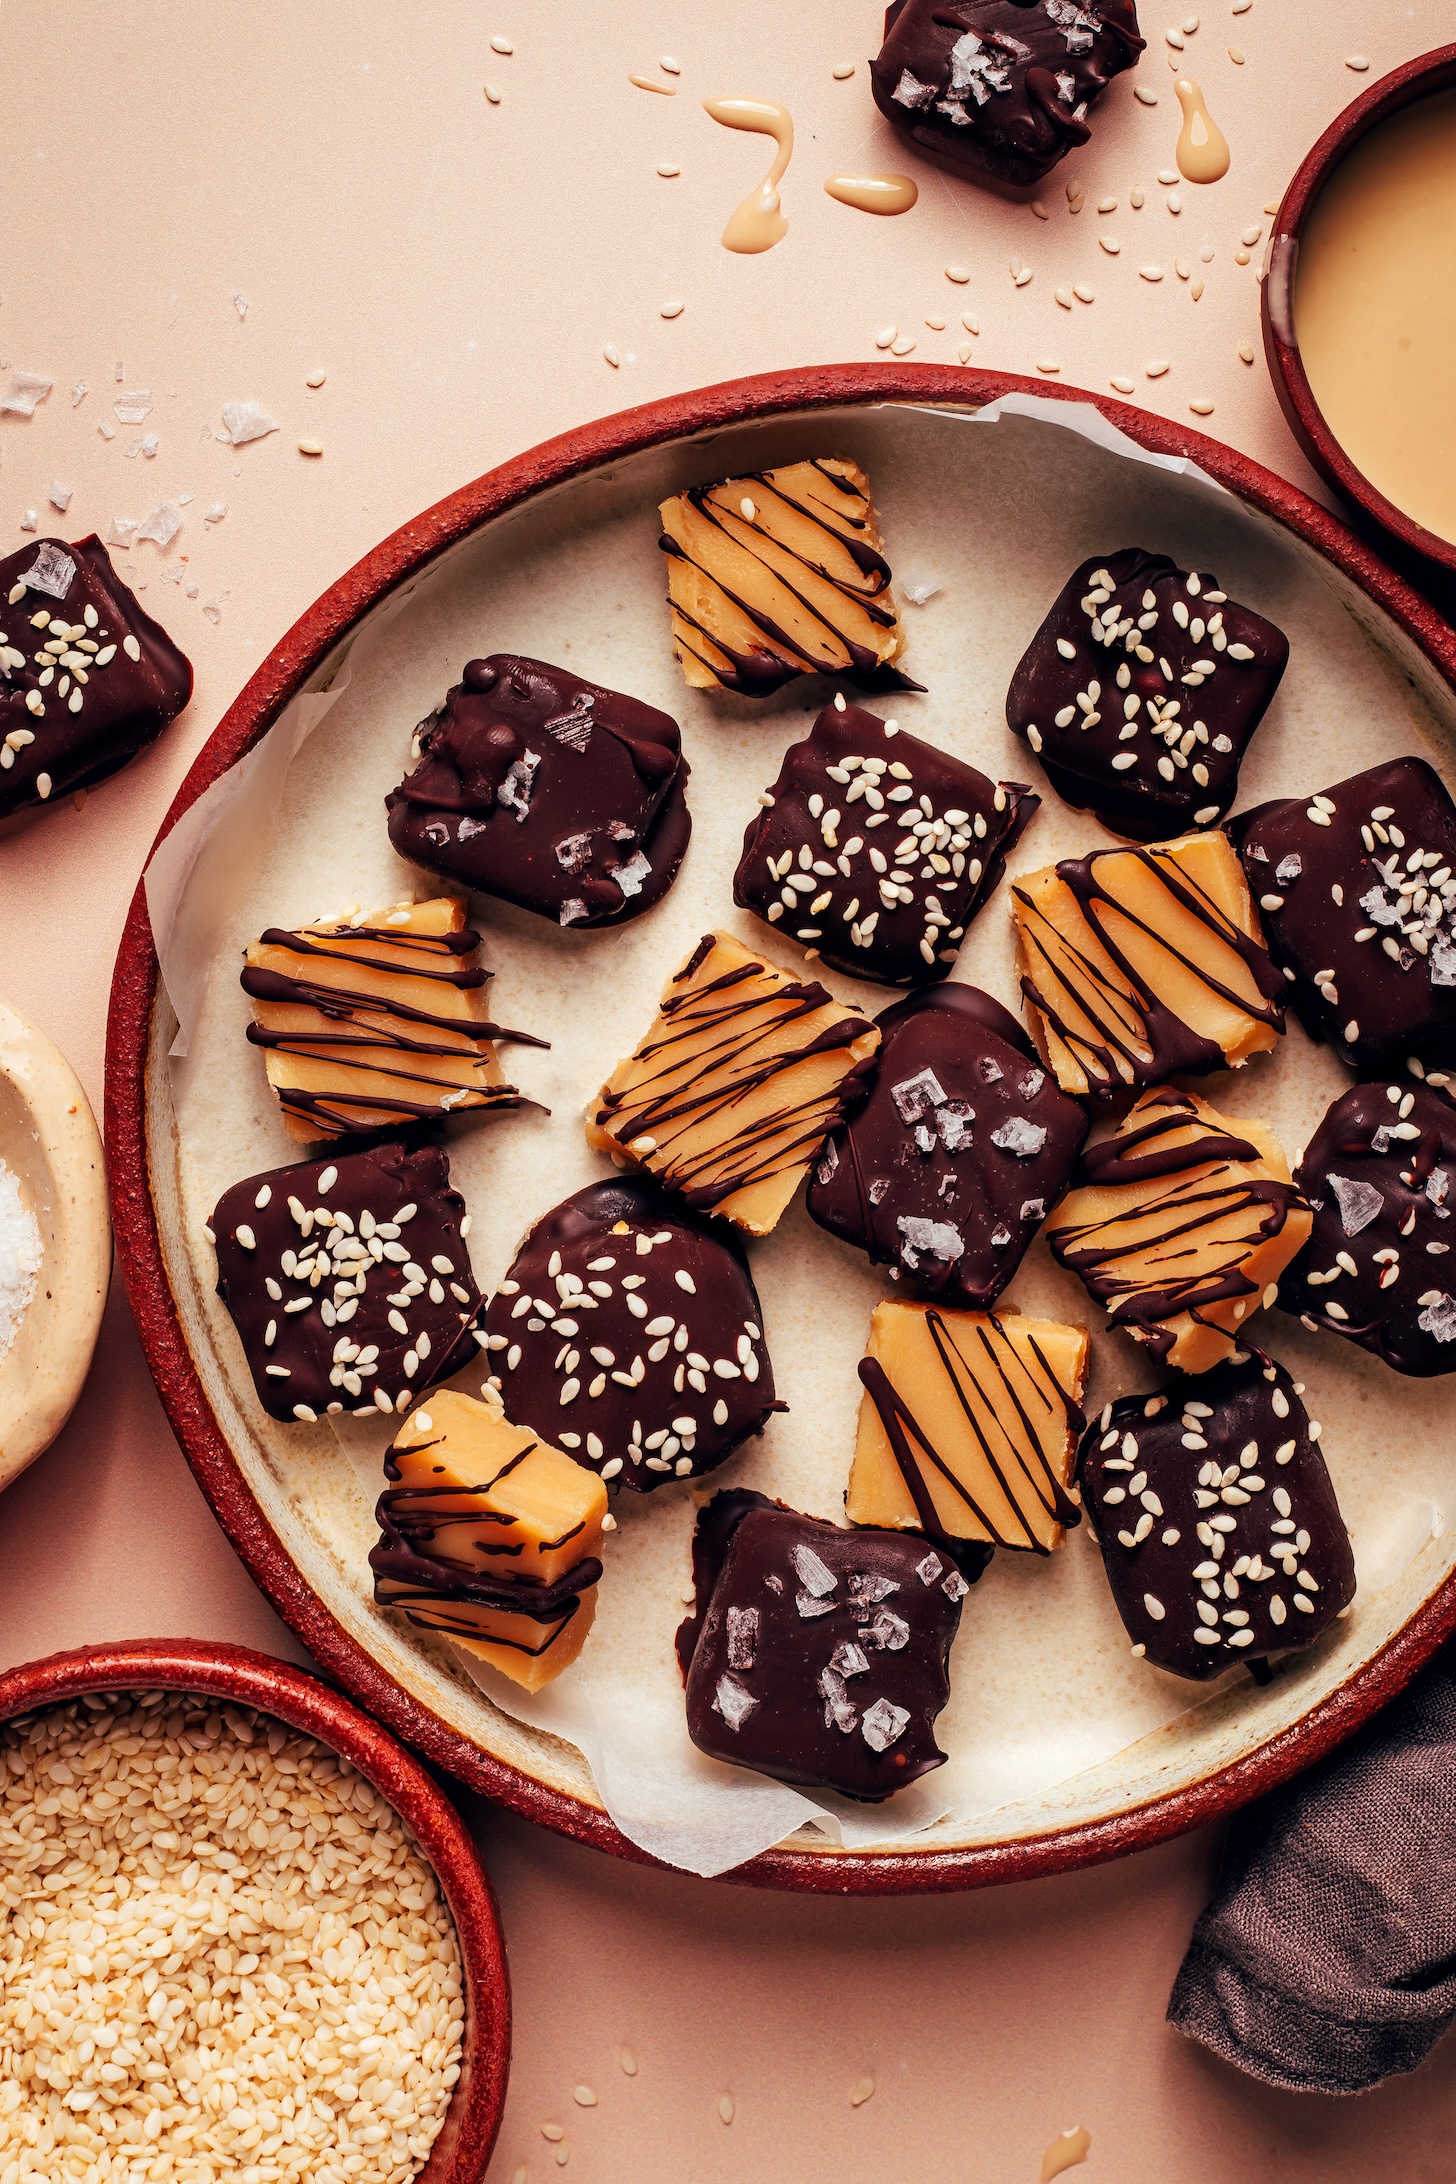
{"x": 95, "y": 717}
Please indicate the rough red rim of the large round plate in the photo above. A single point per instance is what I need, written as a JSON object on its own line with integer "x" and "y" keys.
{"x": 134, "y": 995}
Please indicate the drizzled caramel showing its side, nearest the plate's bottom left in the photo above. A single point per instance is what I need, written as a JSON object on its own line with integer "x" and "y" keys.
{"x": 490, "y": 1536}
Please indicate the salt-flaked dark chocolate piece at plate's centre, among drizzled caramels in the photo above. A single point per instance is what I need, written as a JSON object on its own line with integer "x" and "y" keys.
{"x": 918, "y": 1176}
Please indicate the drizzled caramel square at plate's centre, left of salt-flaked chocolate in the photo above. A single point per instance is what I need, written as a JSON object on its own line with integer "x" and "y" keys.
{"x": 737, "y": 1084}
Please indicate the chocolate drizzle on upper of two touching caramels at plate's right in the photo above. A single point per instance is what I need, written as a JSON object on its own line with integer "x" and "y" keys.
{"x": 1134, "y": 1034}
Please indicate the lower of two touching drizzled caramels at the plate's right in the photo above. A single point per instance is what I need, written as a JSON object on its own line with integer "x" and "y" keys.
{"x": 1182, "y": 1224}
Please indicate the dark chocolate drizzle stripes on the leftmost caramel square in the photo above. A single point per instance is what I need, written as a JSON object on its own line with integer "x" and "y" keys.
{"x": 381, "y": 1028}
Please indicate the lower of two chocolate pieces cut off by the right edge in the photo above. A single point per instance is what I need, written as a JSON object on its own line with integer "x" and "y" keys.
{"x": 1381, "y": 1176}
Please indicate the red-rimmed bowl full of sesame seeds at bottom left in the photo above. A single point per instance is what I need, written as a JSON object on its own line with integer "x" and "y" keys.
{"x": 246, "y": 1934}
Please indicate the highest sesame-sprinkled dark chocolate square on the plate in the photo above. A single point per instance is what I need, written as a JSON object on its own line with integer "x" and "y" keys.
{"x": 1208, "y": 698}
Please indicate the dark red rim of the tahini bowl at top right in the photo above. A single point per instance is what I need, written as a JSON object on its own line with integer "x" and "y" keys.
{"x": 1403, "y": 88}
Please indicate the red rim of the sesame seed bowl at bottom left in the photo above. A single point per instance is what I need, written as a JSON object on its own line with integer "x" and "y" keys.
{"x": 274, "y": 1687}
